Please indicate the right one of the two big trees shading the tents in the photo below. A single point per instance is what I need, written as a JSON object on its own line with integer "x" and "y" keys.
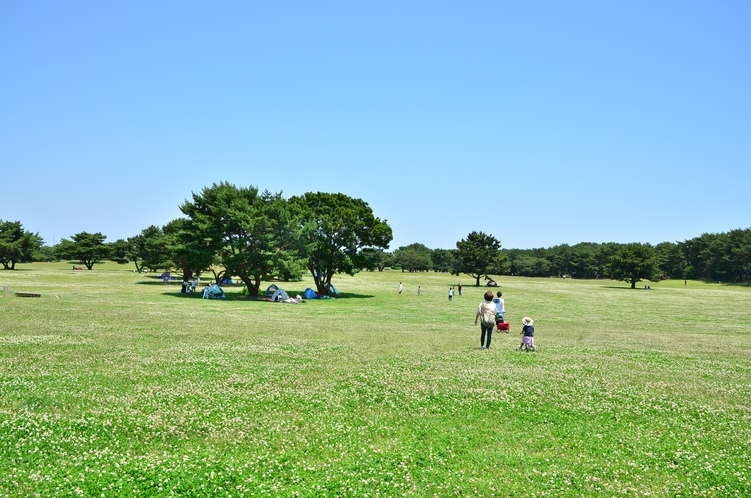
{"x": 336, "y": 230}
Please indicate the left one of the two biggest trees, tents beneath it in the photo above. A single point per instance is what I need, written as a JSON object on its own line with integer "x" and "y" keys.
{"x": 252, "y": 232}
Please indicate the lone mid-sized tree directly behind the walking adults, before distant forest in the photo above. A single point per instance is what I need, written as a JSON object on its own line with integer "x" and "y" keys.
{"x": 479, "y": 256}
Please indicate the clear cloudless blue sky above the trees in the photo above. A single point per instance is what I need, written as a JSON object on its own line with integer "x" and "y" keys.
{"x": 540, "y": 123}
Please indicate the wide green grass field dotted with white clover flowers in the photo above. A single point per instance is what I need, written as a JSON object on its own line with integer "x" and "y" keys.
{"x": 114, "y": 384}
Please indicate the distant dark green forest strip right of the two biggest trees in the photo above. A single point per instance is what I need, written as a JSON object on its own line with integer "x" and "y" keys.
{"x": 722, "y": 257}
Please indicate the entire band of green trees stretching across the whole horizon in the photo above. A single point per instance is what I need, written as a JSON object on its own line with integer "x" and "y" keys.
{"x": 255, "y": 236}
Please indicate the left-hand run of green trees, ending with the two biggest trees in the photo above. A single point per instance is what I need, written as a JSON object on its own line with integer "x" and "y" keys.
{"x": 232, "y": 231}
